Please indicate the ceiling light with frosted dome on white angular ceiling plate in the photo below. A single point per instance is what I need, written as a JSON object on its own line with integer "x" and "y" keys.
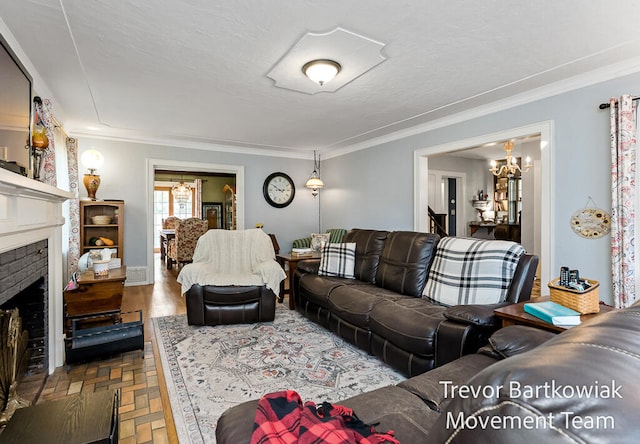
{"x": 357, "y": 55}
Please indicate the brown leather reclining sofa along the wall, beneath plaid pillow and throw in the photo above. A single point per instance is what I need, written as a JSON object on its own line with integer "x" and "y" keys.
{"x": 382, "y": 311}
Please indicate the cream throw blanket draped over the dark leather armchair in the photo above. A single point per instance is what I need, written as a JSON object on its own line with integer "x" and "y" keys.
{"x": 233, "y": 257}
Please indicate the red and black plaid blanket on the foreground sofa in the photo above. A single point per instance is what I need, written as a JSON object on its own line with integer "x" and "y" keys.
{"x": 282, "y": 418}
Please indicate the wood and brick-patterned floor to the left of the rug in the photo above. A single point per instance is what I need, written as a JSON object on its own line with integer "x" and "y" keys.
{"x": 145, "y": 411}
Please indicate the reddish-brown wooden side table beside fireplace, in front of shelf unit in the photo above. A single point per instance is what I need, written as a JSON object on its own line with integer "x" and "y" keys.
{"x": 94, "y": 295}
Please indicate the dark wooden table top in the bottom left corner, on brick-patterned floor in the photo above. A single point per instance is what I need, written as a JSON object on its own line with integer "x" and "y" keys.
{"x": 84, "y": 418}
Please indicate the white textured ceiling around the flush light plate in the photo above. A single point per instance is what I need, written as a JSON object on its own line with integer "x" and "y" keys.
{"x": 194, "y": 73}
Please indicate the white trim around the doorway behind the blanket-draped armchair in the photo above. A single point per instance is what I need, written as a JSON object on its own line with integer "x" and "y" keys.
{"x": 154, "y": 164}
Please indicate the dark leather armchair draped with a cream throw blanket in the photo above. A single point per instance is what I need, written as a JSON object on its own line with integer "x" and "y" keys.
{"x": 234, "y": 278}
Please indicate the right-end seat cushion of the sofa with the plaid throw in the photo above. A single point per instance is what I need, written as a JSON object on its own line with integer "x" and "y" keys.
{"x": 410, "y": 323}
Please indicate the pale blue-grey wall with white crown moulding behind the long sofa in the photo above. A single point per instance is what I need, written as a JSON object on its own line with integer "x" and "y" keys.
{"x": 383, "y": 191}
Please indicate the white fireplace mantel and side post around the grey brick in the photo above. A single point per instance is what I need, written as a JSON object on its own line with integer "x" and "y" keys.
{"x": 31, "y": 212}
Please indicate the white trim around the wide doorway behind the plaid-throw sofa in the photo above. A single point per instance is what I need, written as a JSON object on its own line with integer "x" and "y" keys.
{"x": 545, "y": 129}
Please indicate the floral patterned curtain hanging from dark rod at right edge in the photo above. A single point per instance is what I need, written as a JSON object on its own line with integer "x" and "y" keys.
{"x": 623, "y": 198}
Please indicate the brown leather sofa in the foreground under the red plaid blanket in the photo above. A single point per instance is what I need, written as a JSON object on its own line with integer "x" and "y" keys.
{"x": 531, "y": 387}
